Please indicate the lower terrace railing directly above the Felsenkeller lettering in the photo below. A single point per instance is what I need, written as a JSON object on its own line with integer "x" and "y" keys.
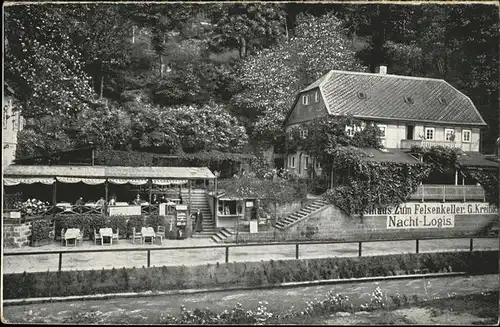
{"x": 449, "y": 193}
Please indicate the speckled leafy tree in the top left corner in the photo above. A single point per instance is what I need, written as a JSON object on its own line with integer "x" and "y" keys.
{"x": 41, "y": 63}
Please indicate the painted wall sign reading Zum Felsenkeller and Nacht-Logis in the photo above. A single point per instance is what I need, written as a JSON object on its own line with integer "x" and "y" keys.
{"x": 431, "y": 215}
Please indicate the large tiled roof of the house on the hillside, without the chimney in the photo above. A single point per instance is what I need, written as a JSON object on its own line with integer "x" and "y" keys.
{"x": 431, "y": 100}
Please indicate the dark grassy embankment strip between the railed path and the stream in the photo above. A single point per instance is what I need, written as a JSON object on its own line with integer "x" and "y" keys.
{"x": 67, "y": 283}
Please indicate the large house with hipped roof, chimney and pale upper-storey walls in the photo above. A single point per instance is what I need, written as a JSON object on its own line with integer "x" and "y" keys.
{"x": 408, "y": 110}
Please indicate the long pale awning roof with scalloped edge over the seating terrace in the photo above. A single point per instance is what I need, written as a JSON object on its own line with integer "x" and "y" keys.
{"x": 94, "y": 175}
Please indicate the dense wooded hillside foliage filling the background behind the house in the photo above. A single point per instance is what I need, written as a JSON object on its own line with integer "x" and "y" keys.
{"x": 79, "y": 69}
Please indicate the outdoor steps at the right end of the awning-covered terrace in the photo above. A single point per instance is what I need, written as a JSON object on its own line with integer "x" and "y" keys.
{"x": 199, "y": 200}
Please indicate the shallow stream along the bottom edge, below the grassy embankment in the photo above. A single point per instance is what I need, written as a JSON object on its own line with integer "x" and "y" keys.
{"x": 468, "y": 295}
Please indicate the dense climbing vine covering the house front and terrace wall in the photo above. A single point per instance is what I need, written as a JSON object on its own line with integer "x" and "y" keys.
{"x": 366, "y": 184}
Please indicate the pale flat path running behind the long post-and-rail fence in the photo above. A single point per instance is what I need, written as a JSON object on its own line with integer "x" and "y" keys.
{"x": 99, "y": 260}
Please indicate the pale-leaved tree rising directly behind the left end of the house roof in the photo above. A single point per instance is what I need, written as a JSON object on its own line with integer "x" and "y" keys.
{"x": 271, "y": 78}
